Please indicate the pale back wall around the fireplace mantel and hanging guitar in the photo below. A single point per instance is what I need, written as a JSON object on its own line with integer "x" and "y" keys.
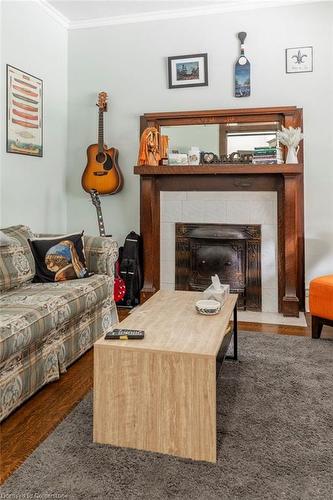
{"x": 129, "y": 62}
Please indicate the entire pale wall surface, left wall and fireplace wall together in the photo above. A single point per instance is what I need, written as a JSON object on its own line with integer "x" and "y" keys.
{"x": 129, "y": 61}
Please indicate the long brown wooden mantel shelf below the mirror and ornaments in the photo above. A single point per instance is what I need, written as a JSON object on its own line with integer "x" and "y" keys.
{"x": 227, "y": 168}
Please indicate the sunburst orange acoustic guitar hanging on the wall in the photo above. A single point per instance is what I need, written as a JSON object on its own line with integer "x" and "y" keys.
{"x": 102, "y": 172}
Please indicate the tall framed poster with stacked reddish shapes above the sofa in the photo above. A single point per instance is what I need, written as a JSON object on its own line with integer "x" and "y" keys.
{"x": 24, "y": 113}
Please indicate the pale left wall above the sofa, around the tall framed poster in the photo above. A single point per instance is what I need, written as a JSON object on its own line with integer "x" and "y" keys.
{"x": 33, "y": 189}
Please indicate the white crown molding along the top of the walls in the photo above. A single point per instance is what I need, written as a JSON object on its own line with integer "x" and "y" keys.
{"x": 234, "y": 6}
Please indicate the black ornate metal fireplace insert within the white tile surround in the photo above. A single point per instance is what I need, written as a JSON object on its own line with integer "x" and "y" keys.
{"x": 233, "y": 251}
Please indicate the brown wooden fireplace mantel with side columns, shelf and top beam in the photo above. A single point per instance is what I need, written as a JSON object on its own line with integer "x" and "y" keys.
{"x": 285, "y": 179}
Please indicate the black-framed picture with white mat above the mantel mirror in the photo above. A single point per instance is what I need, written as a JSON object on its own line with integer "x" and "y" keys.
{"x": 188, "y": 71}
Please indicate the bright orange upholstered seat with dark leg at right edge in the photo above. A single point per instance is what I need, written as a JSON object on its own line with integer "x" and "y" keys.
{"x": 321, "y": 303}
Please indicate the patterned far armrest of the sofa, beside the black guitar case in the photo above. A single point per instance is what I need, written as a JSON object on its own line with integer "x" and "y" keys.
{"x": 101, "y": 254}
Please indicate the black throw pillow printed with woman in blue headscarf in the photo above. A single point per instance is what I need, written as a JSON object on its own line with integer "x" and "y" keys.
{"x": 59, "y": 259}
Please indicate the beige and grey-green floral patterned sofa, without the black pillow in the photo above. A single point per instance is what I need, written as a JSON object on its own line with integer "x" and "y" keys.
{"x": 44, "y": 327}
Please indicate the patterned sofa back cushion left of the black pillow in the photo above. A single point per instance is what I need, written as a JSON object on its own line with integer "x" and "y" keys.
{"x": 17, "y": 264}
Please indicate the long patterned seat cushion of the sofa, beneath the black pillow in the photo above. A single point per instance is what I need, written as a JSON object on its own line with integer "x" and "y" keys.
{"x": 35, "y": 310}
